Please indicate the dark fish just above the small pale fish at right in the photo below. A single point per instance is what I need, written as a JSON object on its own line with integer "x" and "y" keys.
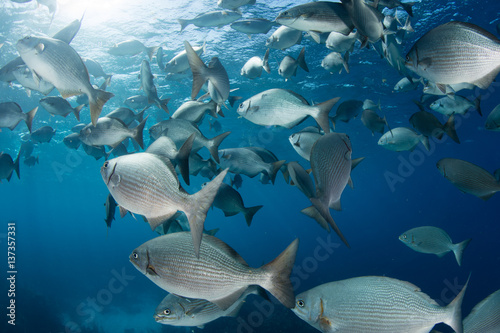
{"x": 427, "y": 124}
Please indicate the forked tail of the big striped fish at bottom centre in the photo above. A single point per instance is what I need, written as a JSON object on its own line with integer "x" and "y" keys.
{"x": 278, "y": 283}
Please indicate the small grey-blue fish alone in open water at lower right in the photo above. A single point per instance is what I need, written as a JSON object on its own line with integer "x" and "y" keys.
{"x": 433, "y": 240}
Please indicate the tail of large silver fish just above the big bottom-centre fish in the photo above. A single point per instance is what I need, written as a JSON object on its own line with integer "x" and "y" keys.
{"x": 197, "y": 211}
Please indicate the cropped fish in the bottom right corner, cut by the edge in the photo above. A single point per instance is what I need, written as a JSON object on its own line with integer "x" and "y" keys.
{"x": 484, "y": 317}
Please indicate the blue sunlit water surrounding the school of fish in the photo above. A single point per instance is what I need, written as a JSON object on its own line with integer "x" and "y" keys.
{"x": 74, "y": 275}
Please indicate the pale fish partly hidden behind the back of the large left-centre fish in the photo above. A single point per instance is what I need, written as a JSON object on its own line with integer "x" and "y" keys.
{"x": 164, "y": 146}
